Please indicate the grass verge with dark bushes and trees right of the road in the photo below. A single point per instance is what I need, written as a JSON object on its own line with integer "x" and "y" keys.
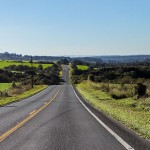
{"x": 120, "y": 90}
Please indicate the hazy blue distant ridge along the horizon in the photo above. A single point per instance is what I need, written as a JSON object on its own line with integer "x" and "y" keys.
{"x": 104, "y": 58}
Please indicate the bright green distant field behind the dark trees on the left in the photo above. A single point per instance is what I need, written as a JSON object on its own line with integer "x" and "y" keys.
{"x": 25, "y": 63}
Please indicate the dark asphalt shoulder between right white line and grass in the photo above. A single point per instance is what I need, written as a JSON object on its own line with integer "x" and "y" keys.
{"x": 133, "y": 139}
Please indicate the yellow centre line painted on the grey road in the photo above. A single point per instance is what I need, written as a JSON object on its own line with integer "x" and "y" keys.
{"x": 32, "y": 114}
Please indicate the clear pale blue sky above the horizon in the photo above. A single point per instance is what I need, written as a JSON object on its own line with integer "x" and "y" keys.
{"x": 75, "y": 27}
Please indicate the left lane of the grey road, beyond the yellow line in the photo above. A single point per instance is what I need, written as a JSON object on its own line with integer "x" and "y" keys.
{"x": 12, "y": 114}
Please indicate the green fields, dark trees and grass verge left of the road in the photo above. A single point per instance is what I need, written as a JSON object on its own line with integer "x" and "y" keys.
{"x": 19, "y": 81}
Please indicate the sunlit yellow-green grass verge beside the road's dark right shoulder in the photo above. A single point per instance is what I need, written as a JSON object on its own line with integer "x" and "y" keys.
{"x": 123, "y": 110}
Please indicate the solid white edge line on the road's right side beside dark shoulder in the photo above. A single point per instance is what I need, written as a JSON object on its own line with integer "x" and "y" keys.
{"x": 118, "y": 138}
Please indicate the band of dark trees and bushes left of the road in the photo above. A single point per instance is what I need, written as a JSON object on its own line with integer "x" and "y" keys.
{"x": 21, "y": 73}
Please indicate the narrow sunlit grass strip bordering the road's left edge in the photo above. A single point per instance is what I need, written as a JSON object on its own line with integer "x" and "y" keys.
{"x": 36, "y": 89}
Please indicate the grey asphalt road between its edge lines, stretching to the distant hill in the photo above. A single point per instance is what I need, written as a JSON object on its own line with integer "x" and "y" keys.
{"x": 63, "y": 124}
